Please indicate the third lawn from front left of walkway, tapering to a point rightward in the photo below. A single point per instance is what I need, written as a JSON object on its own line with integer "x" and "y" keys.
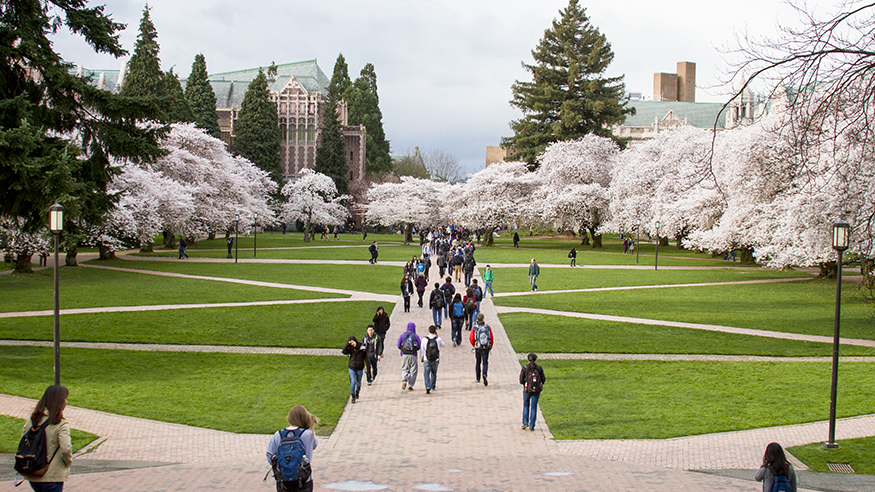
{"x": 82, "y": 287}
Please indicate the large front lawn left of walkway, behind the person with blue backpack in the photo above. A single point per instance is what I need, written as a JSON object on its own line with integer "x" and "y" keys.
{"x": 240, "y": 393}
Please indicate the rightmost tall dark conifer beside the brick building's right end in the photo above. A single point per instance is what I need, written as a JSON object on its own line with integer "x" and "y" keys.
{"x": 364, "y": 109}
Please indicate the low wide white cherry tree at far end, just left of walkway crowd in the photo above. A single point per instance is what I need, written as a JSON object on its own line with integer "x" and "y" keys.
{"x": 412, "y": 201}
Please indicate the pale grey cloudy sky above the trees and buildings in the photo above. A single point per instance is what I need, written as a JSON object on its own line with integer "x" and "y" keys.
{"x": 444, "y": 67}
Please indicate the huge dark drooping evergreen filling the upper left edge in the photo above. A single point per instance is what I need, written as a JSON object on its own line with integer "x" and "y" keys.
{"x": 41, "y": 102}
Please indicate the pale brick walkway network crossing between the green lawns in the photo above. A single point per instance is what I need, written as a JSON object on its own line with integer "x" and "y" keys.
{"x": 462, "y": 437}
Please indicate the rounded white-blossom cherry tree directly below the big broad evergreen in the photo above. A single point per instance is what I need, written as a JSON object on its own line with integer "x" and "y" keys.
{"x": 575, "y": 177}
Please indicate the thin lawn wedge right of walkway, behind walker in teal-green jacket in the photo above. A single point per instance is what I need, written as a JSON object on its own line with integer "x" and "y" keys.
{"x": 517, "y": 280}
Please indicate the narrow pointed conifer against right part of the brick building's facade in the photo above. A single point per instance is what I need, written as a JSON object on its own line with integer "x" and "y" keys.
{"x": 331, "y": 157}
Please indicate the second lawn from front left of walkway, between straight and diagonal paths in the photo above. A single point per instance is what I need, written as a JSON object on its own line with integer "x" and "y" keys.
{"x": 311, "y": 325}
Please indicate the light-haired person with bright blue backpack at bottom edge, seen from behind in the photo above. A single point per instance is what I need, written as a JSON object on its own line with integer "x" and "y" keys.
{"x": 301, "y": 424}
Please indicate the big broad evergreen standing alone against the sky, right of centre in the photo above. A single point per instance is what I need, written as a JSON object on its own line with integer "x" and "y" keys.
{"x": 569, "y": 97}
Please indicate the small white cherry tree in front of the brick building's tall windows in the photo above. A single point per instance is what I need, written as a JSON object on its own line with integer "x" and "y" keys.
{"x": 313, "y": 199}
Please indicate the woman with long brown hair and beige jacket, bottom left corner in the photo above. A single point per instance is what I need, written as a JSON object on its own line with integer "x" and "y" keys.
{"x": 49, "y": 412}
